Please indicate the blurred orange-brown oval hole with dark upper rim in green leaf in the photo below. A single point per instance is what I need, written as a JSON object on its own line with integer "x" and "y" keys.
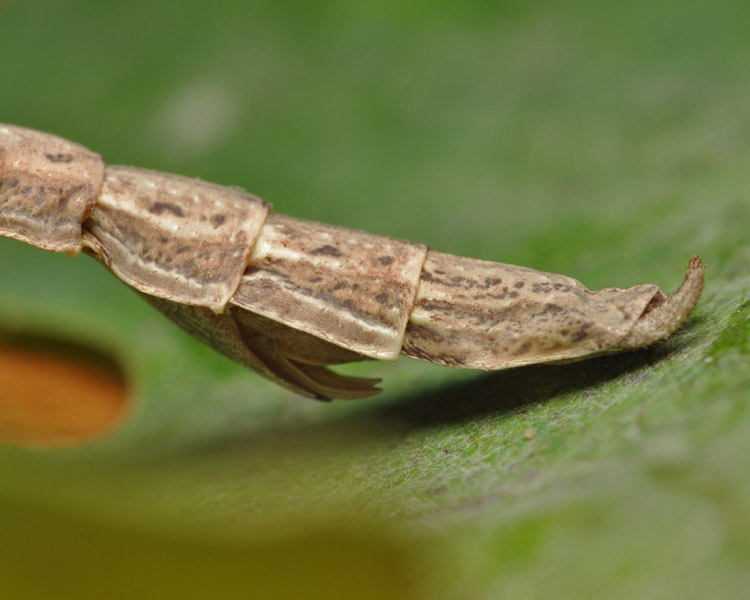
{"x": 56, "y": 393}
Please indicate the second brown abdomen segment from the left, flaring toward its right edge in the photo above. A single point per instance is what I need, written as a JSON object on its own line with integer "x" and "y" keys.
{"x": 176, "y": 238}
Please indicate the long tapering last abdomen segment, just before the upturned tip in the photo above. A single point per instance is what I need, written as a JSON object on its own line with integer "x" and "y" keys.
{"x": 484, "y": 315}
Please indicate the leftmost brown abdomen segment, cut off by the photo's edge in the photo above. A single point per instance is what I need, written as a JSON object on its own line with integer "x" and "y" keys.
{"x": 48, "y": 185}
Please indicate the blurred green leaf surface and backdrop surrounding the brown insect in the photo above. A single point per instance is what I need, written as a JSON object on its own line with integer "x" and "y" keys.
{"x": 607, "y": 141}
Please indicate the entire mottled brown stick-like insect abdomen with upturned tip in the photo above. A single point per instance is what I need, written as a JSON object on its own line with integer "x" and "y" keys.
{"x": 288, "y": 297}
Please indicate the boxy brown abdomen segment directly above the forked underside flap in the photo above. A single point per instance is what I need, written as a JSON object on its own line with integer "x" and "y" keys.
{"x": 360, "y": 302}
